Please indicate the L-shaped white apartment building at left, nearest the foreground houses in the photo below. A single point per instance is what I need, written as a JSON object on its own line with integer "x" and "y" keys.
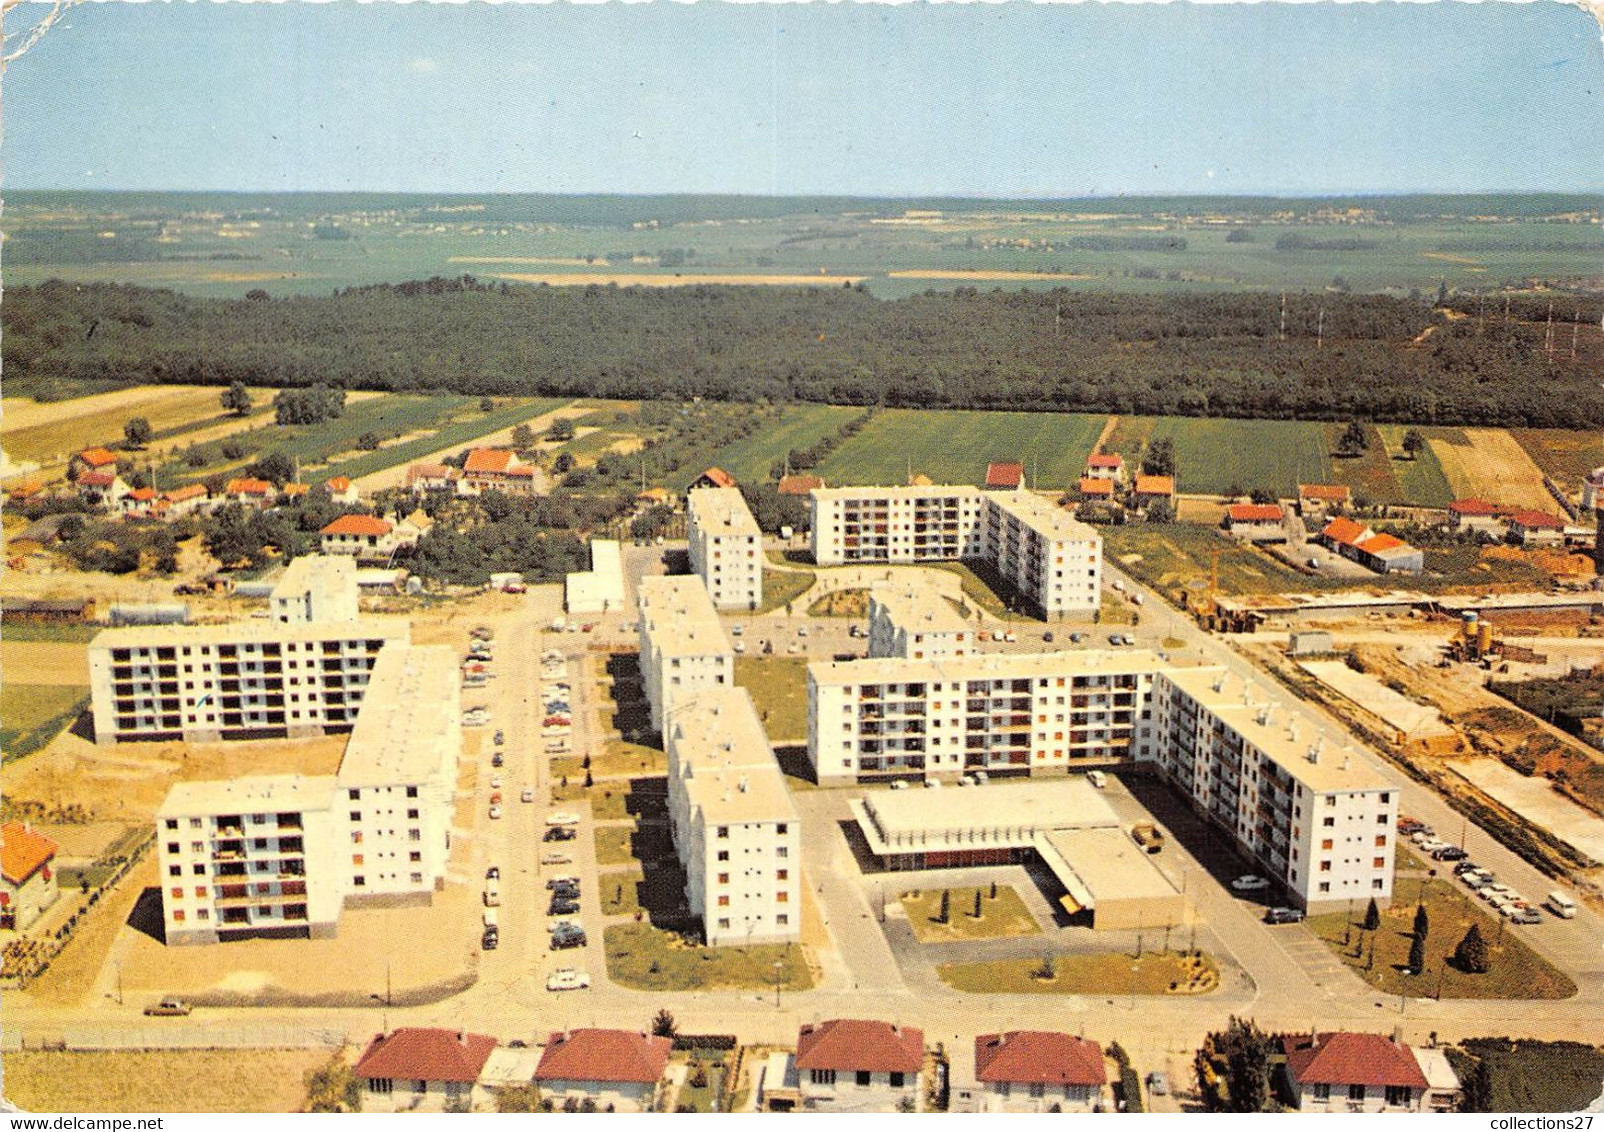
{"x": 280, "y": 855}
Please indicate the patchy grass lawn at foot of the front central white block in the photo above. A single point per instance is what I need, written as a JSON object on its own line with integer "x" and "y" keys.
{"x": 644, "y": 958}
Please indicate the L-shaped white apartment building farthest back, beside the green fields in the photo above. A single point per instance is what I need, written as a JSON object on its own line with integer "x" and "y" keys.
{"x": 1050, "y": 557}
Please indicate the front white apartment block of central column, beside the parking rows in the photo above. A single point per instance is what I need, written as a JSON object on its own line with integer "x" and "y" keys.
{"x": 735, "y": 828}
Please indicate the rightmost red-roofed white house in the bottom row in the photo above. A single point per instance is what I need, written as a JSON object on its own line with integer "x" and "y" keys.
{"x": 1353, "y": 1073}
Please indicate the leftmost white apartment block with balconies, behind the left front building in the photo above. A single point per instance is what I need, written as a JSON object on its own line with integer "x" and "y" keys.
{"x": 254, "y": 679}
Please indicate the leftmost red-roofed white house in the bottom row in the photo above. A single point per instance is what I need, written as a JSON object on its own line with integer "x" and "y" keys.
{"x": 421, "y": 1069}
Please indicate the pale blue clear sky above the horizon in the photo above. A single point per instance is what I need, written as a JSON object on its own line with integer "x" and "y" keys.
{"x": 1000, "y": 100}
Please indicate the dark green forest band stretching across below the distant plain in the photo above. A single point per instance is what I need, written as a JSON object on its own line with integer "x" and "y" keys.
{"x": 1215, "y": 355}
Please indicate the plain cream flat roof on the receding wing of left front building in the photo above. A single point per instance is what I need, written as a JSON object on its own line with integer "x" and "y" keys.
{"x": 410, "y": 726}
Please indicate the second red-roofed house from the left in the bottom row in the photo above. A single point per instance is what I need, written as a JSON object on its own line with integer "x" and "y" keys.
{"x": 618, "y": 1070}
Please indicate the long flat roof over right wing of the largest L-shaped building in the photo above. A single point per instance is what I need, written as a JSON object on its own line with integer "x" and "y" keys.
{"x": 1284, "y": 732}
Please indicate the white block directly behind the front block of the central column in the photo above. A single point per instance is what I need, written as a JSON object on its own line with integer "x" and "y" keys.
{"x": 683, "y": 644}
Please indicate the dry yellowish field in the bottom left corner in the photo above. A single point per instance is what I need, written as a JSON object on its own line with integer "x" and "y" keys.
{"x": 160, "y": 1081}
